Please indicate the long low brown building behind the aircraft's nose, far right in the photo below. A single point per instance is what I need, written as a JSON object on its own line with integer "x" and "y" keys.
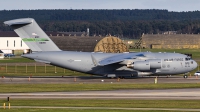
{"x": 170, "y": 40}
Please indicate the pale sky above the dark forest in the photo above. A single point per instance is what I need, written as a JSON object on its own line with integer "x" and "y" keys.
{"x": 171, "y": 5}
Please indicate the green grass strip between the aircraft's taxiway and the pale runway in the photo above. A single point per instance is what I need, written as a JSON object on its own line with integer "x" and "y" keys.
{"x": 27, "y": 88}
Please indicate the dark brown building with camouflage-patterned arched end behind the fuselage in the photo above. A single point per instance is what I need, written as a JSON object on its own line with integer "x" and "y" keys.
{"x": 90, "y": 44}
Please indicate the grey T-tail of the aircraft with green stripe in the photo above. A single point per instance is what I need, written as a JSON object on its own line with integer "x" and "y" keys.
{"x": 30, "y": 32}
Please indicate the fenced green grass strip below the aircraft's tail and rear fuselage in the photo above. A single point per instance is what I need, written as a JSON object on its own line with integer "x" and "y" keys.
{"x": 38, "y": 71}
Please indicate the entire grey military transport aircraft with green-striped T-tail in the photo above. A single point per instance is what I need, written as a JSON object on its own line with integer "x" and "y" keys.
{"x": 105, "y": 64}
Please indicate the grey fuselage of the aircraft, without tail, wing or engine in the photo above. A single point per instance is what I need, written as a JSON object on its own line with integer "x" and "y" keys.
{"x": 170, "y": 63}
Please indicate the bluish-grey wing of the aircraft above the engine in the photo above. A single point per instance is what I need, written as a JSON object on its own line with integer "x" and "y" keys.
{"x": 118, "y": 58}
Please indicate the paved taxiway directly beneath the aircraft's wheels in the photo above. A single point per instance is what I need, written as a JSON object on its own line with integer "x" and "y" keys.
{"x": 95, "y": 79}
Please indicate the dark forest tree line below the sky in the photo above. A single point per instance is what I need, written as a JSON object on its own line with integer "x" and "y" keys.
{"x": 122, "y": 23}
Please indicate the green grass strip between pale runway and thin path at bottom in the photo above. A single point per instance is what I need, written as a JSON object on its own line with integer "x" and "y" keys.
{"x": 119, "y": 103}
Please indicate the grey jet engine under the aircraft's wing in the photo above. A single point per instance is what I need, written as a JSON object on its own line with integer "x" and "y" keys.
{"x": 145, "y": 65}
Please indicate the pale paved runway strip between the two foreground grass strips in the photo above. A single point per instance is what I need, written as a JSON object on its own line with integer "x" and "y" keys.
{"x": 179, "y": 94}
